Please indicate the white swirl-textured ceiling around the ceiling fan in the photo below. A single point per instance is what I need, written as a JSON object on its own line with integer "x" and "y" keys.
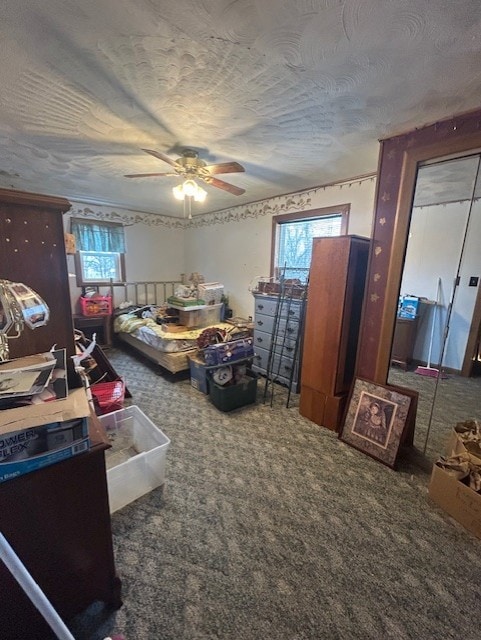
{"x": 297, "y": 91}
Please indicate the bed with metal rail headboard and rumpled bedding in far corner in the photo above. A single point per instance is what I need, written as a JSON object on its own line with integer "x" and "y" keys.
{"x": 135, "y": 325}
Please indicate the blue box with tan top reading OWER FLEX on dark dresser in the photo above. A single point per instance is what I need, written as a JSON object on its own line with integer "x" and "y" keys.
{"x": 39, "y": 435}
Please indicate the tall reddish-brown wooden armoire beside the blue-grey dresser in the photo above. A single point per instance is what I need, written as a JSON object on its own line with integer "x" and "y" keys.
{"x": 333, "y": 313}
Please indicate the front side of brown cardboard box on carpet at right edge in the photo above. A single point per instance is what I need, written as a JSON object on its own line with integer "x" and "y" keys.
{"x": 457, "y": 499}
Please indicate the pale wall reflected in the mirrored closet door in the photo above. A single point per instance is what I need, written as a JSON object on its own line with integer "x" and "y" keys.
{"x": 434, "y": 250}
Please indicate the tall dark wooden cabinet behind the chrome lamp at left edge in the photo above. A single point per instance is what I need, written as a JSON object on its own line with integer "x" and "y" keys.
{"x": 32, "y": 251}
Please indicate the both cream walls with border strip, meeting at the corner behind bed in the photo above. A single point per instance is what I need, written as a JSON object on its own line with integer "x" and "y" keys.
{"x": 232, "y": 247}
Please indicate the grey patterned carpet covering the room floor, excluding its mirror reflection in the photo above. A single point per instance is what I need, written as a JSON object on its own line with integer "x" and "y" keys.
{"x": 269, "y": 527}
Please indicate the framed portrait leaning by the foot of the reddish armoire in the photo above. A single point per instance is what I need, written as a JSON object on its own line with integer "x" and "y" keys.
{"x": 376, "y": 420}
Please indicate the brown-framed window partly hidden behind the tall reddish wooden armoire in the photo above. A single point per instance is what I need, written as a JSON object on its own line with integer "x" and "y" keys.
{"x": 292, "y": 235}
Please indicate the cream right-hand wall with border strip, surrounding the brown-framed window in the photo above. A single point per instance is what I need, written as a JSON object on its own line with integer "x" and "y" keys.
{"x": 234, "y": 246}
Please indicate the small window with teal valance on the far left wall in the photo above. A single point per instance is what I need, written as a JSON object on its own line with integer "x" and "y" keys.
{"x": 101, "y": 249}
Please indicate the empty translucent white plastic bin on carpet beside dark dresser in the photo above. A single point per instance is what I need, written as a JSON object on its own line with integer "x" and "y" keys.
{"x": 136, "y": 461}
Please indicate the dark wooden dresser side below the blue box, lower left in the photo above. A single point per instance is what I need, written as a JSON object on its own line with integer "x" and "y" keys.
{"x": 57, "y": 520}
